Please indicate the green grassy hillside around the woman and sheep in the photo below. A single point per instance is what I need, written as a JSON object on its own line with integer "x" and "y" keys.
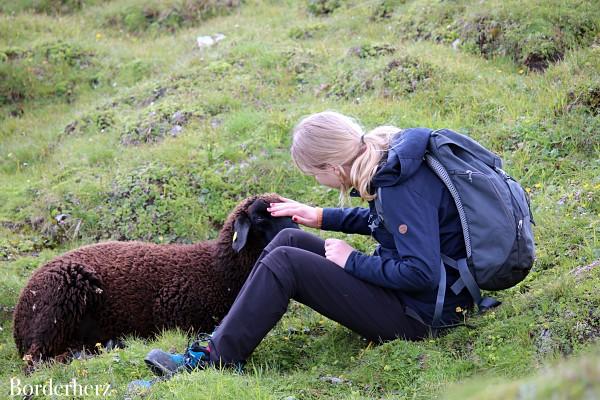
{"x": 112, "y": 115}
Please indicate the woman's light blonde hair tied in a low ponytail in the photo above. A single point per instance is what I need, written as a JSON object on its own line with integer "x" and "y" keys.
{"x": 331, "y": 138}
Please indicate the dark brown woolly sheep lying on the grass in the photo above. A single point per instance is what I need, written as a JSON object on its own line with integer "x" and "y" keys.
{"x": 103, "y": 291}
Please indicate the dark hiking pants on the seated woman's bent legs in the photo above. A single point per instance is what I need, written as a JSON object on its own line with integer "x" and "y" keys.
{"x": 293, "y": 266}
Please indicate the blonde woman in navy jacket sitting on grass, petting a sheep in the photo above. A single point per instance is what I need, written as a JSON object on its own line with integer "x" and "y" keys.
{"x": 390, "y": 294}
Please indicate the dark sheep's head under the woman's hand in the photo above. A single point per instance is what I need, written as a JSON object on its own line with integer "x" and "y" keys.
{"x": 254, "y": 221}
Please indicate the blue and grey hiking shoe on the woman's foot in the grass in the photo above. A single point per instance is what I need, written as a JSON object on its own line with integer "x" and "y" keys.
{"x": 161, "y": 363}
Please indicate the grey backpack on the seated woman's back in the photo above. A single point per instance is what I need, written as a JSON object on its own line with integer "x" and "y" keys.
{"x": 495, "y": 216}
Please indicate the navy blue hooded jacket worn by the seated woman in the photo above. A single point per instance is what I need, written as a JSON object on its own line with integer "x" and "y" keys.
{"x": 422, "y": 217}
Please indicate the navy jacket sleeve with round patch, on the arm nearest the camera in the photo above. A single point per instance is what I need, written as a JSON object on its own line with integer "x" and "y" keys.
{"x": 413, "y": 222}
